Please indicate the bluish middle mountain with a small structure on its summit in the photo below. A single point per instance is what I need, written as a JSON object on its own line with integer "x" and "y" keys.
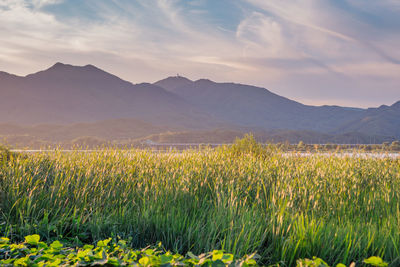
{"x": 257, "y": 107}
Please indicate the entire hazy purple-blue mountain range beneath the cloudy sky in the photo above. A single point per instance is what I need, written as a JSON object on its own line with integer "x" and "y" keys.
{"x": 66, "y": 102}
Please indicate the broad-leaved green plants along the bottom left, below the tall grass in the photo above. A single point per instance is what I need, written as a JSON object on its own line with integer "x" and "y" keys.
{"x": 33, "y": 252}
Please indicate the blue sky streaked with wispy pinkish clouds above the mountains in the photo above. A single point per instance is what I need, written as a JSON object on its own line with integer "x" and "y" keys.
{"x": 336, "y": 52}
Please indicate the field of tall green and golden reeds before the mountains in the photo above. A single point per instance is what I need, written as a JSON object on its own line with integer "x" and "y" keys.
{"x": 242, "y": 199}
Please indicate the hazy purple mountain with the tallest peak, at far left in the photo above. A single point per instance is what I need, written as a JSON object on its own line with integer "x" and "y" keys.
{"x": 70, "y": 94}
